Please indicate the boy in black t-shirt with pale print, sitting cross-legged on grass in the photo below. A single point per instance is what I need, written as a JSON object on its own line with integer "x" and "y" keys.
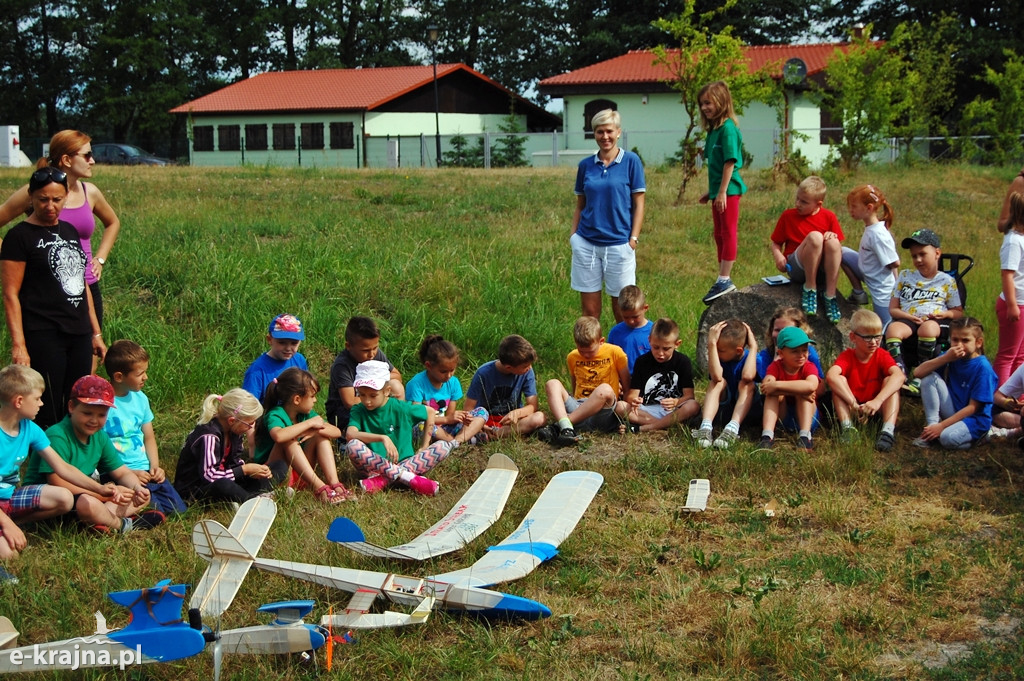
{"x": 662, "y": 386}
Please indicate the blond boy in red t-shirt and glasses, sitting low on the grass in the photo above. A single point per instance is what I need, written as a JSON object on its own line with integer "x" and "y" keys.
{"x": 866, "y": 382}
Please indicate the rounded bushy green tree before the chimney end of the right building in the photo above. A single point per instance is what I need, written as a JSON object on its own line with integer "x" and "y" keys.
{"x": 864, "y": 92}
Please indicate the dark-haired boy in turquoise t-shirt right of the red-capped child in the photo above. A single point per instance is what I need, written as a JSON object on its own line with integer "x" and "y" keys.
{"x": 131, "y": 425}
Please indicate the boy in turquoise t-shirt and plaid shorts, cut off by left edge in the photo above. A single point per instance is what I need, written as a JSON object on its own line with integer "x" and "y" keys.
{"x": 21, "y": 398}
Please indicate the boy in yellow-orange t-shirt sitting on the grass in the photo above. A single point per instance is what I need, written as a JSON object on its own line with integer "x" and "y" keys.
{"x": 600, "y": 373}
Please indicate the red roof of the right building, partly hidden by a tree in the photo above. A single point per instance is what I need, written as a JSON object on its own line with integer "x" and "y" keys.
{"x": 638, "y": 66}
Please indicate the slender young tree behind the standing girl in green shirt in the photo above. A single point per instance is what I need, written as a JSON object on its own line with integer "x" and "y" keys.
{"x": 701, "y": 59}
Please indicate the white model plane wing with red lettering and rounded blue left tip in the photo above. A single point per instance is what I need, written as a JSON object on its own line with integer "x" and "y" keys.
{"x": 472, "y": 517}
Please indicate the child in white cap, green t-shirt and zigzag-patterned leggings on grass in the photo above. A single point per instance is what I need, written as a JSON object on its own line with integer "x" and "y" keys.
{"x": 380, "y": 436}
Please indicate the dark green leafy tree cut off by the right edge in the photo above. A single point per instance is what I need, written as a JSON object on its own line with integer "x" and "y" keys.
{"x": 1001, "y": 119}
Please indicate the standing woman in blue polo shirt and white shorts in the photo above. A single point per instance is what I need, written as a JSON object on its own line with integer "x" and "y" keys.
{"x": 608, "y": 220}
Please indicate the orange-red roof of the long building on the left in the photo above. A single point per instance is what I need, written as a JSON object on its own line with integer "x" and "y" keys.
{"x": 328, "y": 90}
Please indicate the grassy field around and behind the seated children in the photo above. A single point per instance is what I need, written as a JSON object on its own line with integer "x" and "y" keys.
{"x": 874, "y": 567}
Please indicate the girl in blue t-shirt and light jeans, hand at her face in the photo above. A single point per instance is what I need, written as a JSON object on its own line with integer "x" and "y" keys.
{"x": 957, "y": 390}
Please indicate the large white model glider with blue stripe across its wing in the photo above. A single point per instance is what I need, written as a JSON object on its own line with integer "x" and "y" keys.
{"x": 552, "y": 519}
